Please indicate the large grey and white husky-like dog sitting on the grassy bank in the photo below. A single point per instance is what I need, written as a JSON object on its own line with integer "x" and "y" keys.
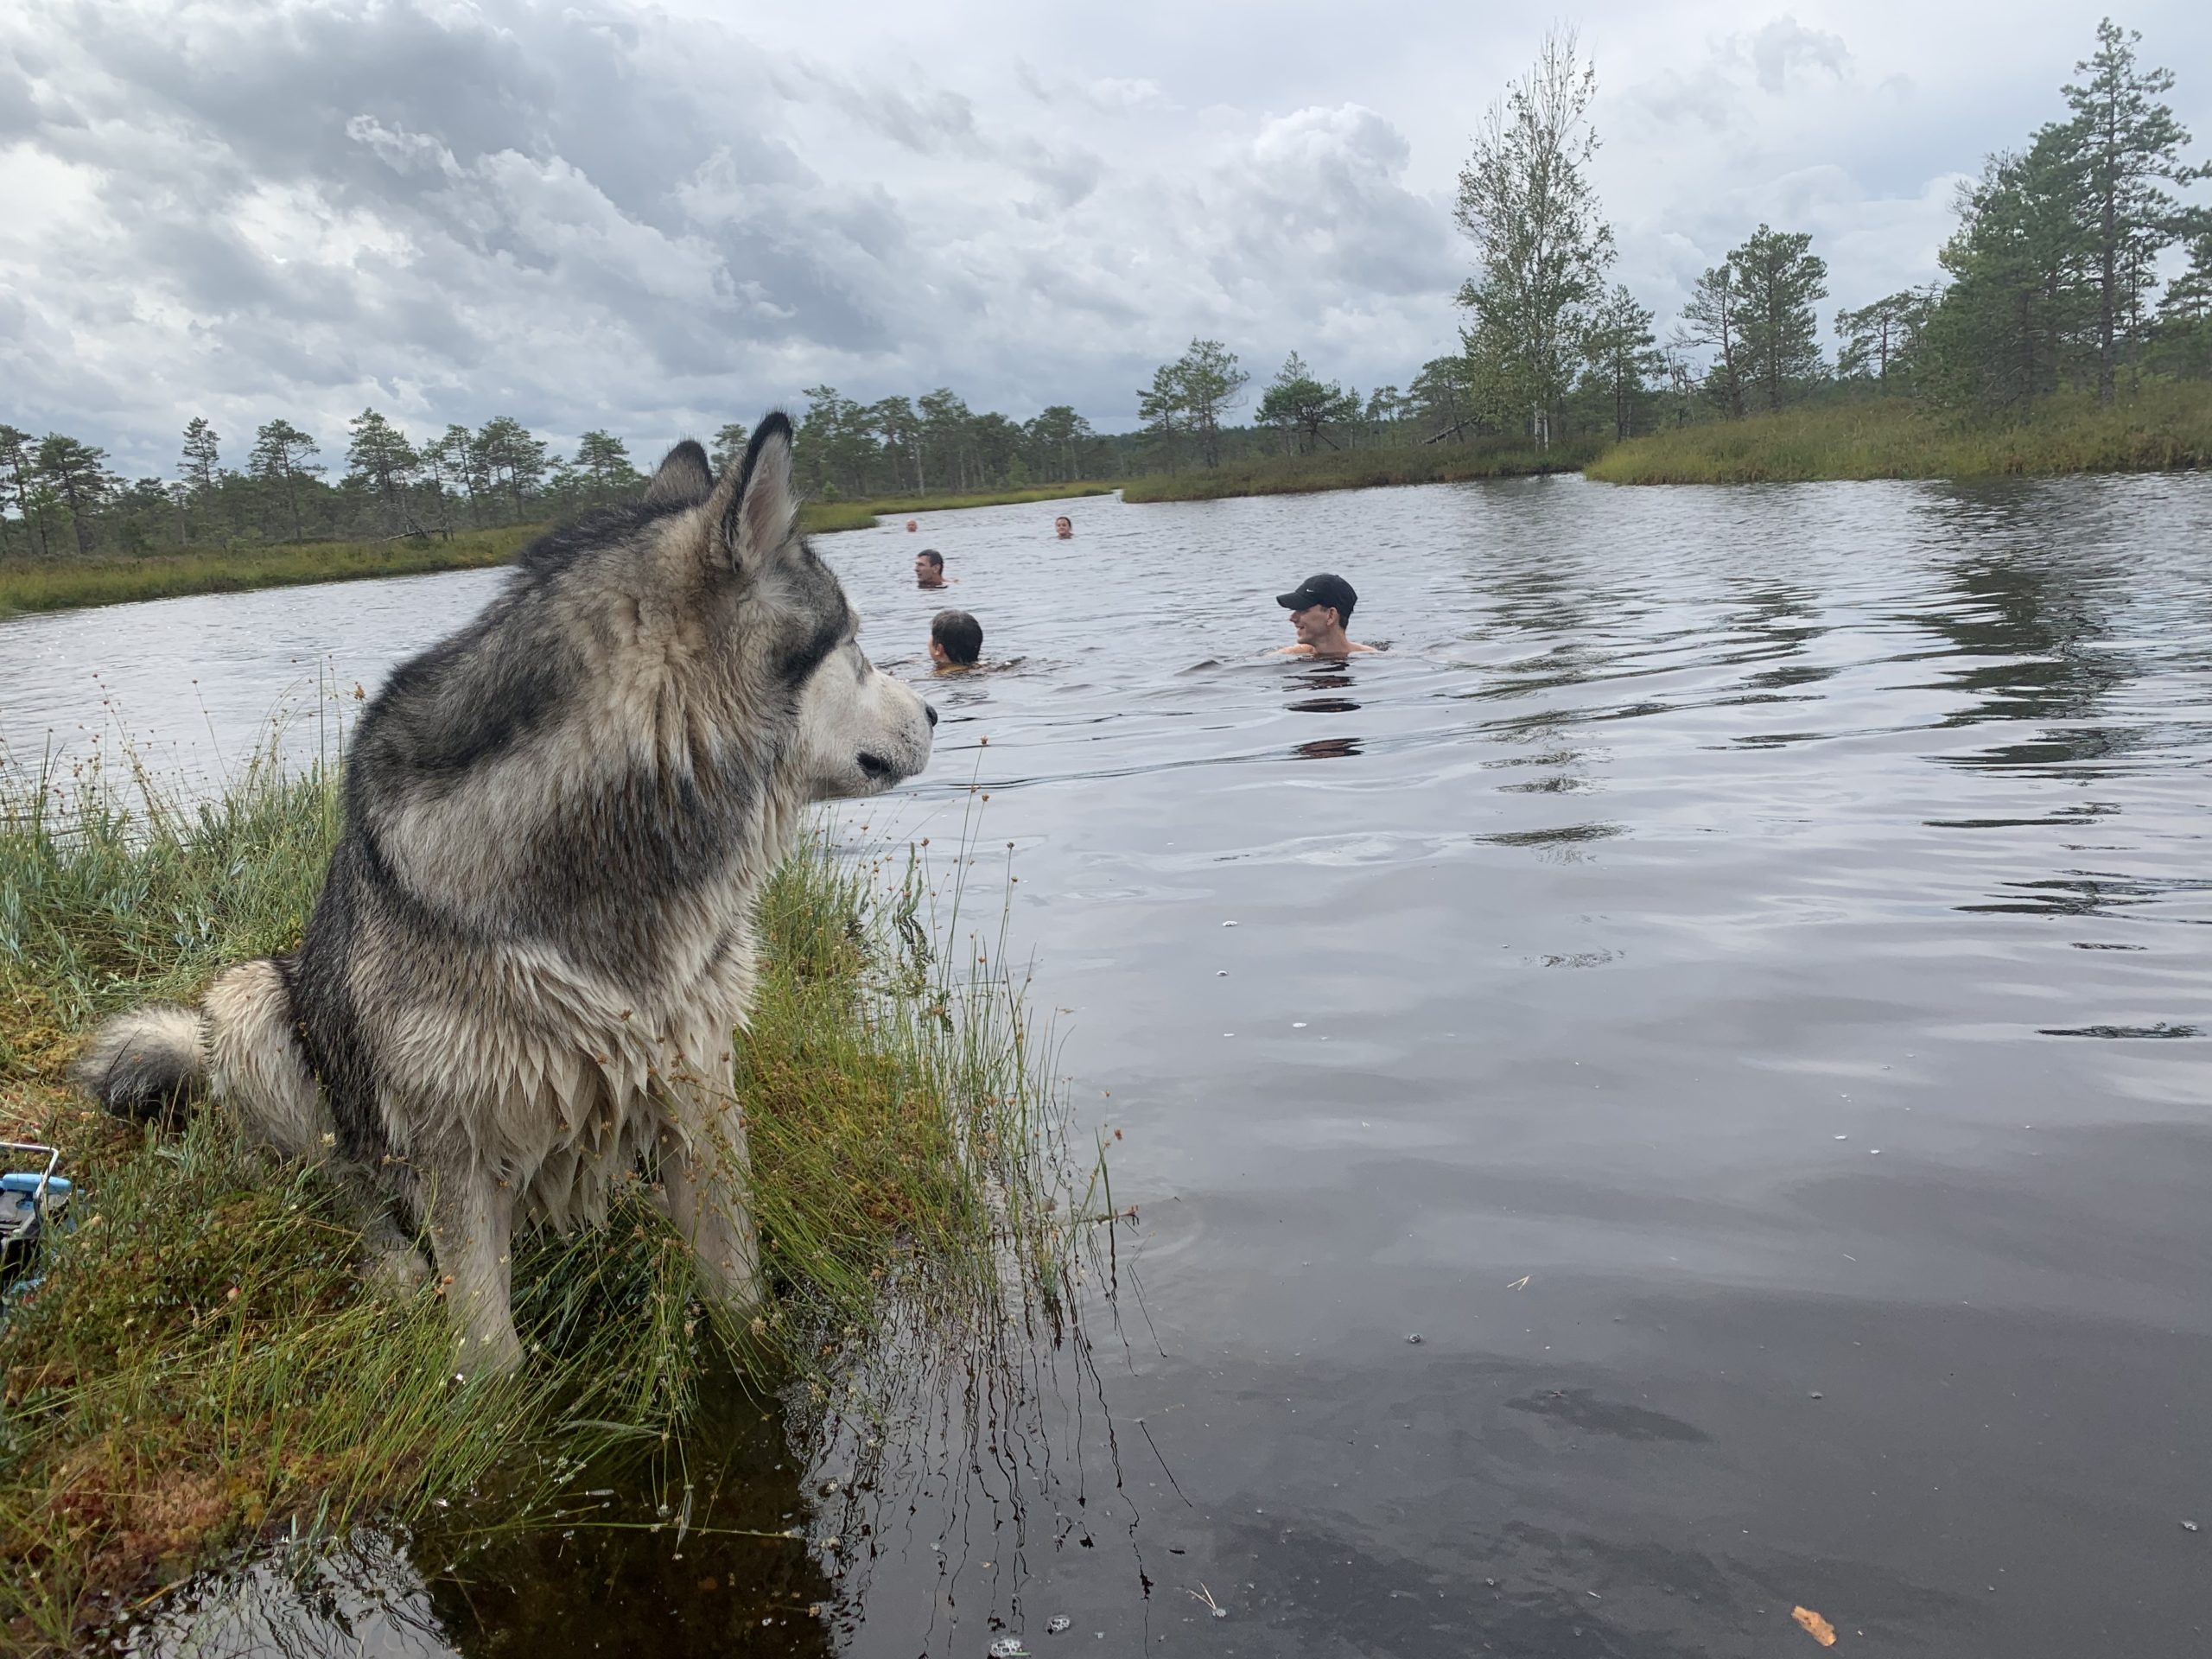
{"x": 536, "y": 932}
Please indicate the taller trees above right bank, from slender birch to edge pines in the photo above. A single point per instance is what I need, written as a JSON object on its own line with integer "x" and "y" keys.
{"x": 2052, "y": 280}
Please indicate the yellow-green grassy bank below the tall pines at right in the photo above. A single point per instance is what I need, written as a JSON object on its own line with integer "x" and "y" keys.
{"x": 2160, "y": 428}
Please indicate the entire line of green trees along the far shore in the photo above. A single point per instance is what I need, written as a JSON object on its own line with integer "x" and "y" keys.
{"x": 2052, "y": 284}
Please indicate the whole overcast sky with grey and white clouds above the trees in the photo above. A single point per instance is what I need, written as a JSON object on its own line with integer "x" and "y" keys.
{"x": 658, "y": 218}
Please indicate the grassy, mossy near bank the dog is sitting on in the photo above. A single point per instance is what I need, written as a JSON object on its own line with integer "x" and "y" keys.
{"x": 200, "y": 1361}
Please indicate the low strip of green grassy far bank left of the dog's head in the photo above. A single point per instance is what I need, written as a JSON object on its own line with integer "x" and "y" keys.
{"x": 65, "y": 585}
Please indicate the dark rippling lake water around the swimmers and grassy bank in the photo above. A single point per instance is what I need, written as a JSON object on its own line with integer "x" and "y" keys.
{"x": 1731, "y": 979}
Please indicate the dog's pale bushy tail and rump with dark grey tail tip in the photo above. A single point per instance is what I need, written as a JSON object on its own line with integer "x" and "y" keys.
{"x": 238, "y": 1045}
